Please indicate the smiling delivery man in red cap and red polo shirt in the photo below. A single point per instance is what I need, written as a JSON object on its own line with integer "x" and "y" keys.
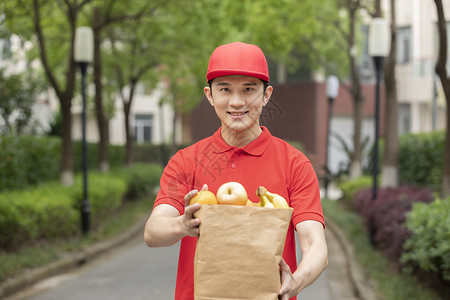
{"x": 241, "y": 150}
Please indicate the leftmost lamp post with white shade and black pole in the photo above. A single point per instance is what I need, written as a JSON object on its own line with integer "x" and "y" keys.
{"x": 83, "y": 55}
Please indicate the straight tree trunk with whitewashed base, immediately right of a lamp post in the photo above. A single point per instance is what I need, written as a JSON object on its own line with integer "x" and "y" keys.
{"x": 390, "y": 160}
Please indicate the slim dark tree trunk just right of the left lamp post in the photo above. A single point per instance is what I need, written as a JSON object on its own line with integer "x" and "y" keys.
{"x": 102, "y": 121}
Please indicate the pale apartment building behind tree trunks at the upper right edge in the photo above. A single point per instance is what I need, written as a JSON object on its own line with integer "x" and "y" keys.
{"x": 420, "y": 95}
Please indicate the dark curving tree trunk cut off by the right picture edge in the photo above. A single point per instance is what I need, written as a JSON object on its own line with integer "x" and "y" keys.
{"x": 443, "y": 76}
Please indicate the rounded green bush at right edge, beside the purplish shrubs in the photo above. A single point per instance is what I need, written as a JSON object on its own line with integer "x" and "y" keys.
{"x": 428, "y": 247}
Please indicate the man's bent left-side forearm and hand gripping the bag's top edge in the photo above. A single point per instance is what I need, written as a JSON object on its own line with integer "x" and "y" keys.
{"x": 166, "y": 226}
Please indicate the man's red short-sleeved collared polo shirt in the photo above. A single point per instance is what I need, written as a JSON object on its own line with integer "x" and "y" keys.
{"x": 266, "y": 161}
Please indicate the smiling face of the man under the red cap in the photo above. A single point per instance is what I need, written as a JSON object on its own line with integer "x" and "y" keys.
{"x": 238, "y": 101}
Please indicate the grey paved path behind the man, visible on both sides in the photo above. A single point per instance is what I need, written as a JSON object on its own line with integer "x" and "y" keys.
{"x": 137, "y": 272}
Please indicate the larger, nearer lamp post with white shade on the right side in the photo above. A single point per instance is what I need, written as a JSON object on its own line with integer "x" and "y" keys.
{"x": 379, "y": 44}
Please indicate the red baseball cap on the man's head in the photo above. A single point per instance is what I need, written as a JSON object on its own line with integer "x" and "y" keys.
{"x": 238, "y": 59}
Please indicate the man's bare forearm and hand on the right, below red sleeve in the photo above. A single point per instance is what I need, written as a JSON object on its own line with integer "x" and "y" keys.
{"x": 314, "y": 259}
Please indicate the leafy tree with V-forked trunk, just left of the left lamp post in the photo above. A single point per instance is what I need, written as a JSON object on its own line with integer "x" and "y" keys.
{"x": 51, "y": 26}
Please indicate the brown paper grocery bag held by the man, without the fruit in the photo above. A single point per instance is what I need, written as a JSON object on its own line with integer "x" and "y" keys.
{"x": 238, "y": 252}
